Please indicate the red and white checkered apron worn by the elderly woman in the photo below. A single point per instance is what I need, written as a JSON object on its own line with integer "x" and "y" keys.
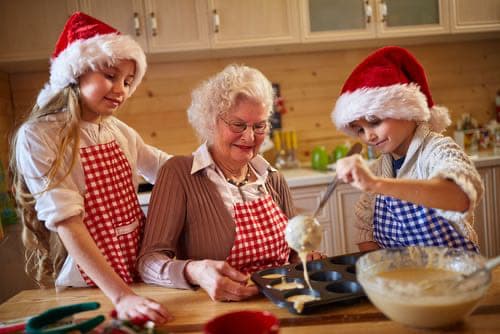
{"x": 260, "y": 236}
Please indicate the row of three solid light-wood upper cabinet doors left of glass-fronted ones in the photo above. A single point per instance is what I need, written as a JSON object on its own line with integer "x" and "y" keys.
{"x": 182, "y": 25}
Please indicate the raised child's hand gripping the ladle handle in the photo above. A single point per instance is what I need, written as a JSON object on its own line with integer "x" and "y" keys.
{"x": 355, "y": 171}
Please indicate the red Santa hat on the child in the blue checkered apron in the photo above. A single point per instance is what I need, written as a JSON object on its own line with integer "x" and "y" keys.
{"x": 389, "y": 83}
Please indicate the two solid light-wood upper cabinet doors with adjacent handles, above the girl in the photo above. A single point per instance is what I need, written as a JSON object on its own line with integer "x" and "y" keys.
{"x": 158, "y": 25}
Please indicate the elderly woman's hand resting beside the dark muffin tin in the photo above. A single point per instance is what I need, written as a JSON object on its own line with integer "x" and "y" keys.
{"x": 221, "y": 281}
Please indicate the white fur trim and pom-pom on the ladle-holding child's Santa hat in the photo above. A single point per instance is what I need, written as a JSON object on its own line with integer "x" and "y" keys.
{"x": 399, "y": 101}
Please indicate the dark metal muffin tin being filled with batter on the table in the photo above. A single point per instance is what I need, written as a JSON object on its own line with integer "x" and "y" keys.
{"x": 333, "y": 281}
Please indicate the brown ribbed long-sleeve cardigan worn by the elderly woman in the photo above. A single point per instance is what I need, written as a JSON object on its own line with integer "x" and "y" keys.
{"x": 187, "y": 220}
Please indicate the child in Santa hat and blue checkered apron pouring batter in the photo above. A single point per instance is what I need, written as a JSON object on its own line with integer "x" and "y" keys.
{"x": 423, "y": 189}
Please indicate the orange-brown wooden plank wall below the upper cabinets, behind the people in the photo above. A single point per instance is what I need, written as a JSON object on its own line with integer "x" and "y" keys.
{"x": 464, "y": 76}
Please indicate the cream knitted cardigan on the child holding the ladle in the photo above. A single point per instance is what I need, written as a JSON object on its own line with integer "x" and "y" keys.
{"x": 430, "y": 155}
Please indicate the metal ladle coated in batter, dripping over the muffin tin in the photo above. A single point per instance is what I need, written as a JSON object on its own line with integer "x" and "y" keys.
{"x": 304, "y": 233}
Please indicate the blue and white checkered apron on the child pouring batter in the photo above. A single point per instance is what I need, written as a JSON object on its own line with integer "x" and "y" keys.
{"x": 399, "y": 223}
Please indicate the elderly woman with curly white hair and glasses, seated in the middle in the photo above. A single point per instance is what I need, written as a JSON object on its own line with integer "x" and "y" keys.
{"x": 218, "y": 215}
